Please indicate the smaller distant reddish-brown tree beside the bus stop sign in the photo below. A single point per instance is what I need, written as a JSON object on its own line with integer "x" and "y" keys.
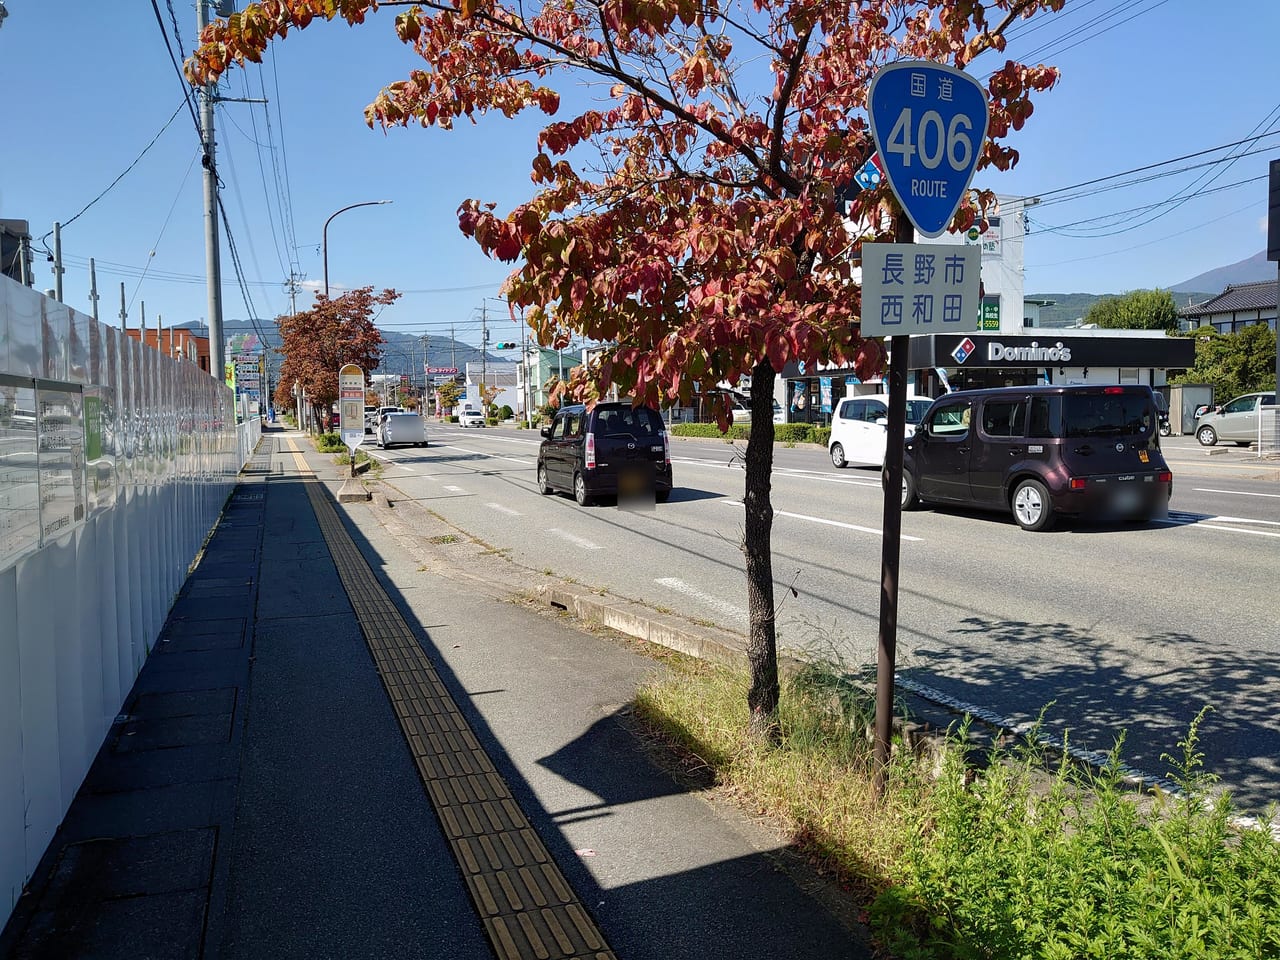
{"x": 318, "y": 342}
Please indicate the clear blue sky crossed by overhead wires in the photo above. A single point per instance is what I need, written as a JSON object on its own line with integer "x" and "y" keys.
{"x": 89, "y": 85}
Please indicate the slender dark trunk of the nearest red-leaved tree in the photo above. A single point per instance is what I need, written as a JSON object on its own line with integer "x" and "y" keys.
{"x": 762, "y": 648}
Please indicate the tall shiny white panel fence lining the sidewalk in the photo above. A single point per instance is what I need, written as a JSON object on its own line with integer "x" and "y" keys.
{"x": 116, "y": 463}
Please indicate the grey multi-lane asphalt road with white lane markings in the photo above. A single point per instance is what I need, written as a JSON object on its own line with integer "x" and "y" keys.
{"x": 1119, "y": 629}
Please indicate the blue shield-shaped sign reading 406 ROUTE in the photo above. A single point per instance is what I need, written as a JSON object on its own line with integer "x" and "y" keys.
{"x": 929, "y": 122}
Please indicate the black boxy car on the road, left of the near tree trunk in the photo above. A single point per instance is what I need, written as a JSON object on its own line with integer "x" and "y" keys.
{"x": 611, "y": 450}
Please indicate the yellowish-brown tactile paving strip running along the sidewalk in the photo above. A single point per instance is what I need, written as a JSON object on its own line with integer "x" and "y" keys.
{"x": 528, "y": 908}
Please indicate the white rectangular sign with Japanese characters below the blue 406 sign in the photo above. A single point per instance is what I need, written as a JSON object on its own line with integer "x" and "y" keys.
{"x": 920, "y": 289}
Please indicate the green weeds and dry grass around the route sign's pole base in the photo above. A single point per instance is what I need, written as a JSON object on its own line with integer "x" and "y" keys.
{"x": 1028, "y": 857}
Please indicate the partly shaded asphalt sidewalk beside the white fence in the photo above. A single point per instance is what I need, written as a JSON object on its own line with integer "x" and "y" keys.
{"x": 345, "y": 747}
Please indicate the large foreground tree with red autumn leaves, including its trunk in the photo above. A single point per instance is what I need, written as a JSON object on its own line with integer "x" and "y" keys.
{"x": 689, "y": 218}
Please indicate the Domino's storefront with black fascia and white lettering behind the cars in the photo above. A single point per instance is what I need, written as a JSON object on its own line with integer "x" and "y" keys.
{"x": 970, "y": 362}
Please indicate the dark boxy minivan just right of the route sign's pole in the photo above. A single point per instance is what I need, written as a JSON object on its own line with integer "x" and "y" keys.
{"x": 1040, "y": 452}
